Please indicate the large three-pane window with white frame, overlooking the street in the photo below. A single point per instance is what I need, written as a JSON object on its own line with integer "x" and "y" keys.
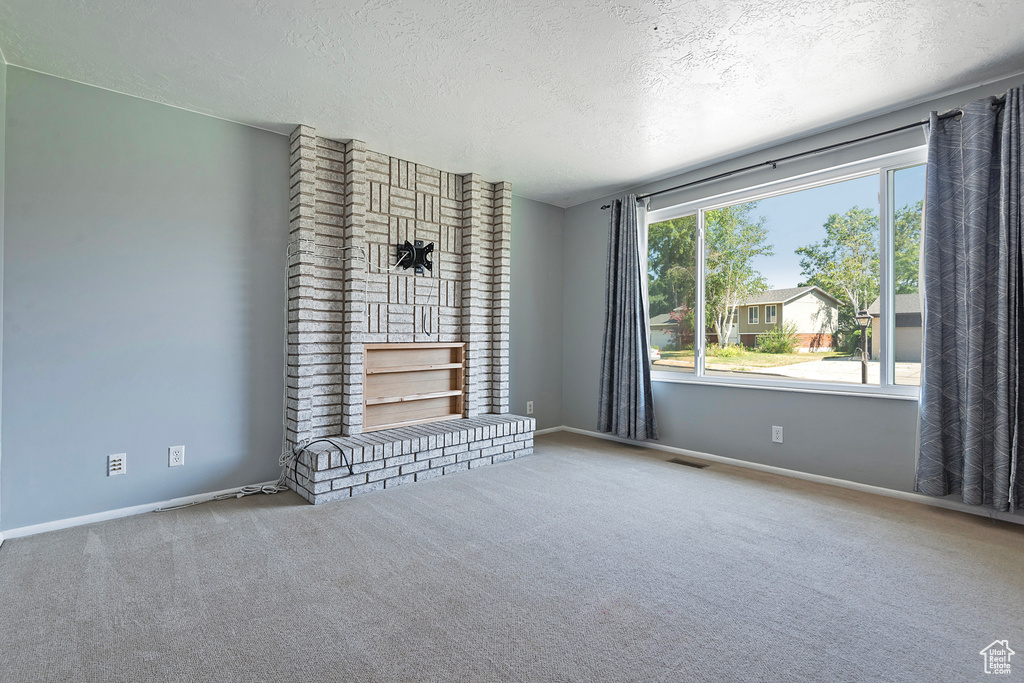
{"x": 764, "y": 286}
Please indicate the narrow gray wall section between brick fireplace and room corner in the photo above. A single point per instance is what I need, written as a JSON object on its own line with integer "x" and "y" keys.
{"x": 536, "y": 362}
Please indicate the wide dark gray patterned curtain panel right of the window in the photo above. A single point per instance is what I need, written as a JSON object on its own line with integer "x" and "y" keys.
{"x": 972, "y": 268}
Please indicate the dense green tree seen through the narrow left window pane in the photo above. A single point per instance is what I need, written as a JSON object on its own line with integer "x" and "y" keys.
{"x": 672, "y": 265}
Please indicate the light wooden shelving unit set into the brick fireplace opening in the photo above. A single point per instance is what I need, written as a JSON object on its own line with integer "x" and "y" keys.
{"x": 411, "y": 385}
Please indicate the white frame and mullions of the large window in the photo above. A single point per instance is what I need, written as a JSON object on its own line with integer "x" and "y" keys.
{"x": 884, "y": 166}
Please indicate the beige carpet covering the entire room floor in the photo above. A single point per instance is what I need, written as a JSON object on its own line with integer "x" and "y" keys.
{"x": 588, "y": 562}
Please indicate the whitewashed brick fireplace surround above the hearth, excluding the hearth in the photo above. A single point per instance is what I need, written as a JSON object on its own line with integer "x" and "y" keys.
{"x": 348, "y": 201}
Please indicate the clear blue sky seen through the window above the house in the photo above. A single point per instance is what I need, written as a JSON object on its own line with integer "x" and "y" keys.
{"x": 797, "y": 220}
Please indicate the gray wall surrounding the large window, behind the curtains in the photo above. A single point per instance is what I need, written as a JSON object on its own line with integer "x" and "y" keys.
{"x": 871, "y": 441}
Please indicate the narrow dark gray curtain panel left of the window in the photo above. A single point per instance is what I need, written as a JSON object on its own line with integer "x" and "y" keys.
{"x": 627, "y": 403}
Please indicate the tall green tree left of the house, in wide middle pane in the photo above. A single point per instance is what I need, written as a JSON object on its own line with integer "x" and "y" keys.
{"x": 734, "y": 239}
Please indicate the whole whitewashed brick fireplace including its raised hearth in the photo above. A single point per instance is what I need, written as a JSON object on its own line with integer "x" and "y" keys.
{"x": 350, "y": 209}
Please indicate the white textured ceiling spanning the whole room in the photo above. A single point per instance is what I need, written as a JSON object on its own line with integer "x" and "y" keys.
{"x": 569, "y": 100}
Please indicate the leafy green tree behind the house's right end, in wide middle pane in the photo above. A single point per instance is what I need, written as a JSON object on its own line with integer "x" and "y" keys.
{"x": 846, "y": 263}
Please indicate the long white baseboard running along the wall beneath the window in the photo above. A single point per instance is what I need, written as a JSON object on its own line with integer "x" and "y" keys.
{"x": 797, "y": 475}
